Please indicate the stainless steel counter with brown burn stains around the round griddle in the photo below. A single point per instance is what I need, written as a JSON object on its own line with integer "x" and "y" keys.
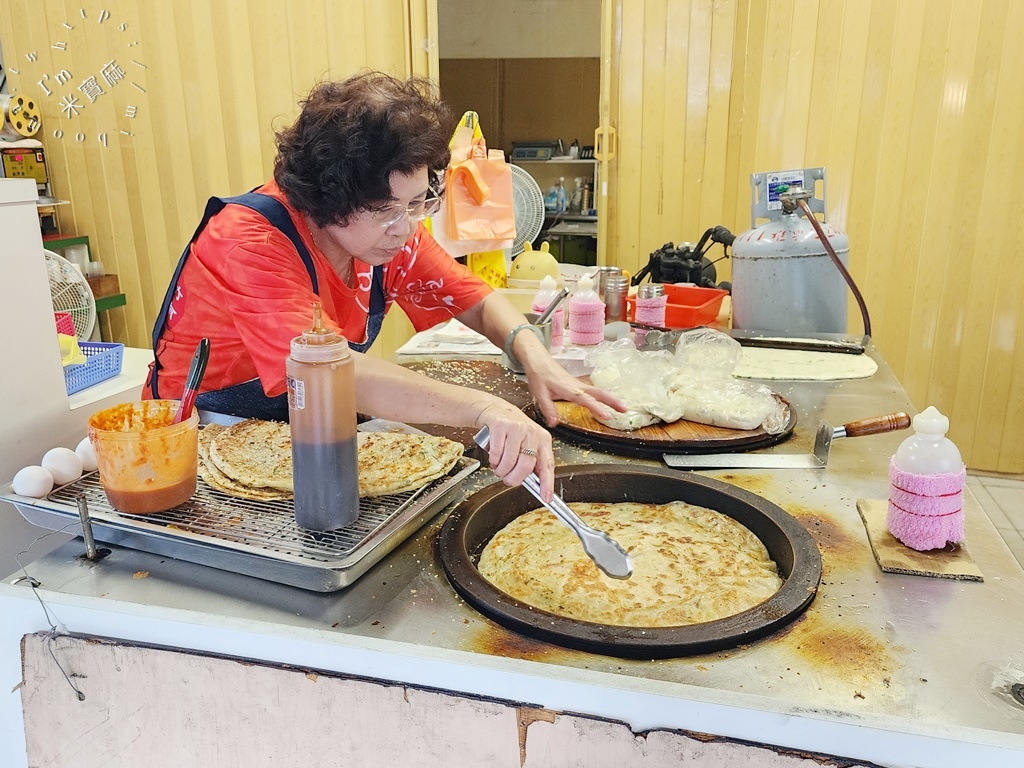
{"x": 881, "y": 667}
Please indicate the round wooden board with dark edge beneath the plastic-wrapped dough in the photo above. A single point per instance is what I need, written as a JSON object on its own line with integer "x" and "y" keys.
{"x": 578, "y": 425}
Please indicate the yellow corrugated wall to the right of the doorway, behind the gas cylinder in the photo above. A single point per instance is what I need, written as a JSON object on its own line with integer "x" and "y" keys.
{"x": 917, "y": 111}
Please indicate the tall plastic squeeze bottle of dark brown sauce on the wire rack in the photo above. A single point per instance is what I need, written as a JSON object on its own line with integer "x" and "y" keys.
{"x": 322, "y": 412}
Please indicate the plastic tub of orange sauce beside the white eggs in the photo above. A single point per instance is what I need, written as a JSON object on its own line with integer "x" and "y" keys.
{"x": 147, "y": 463}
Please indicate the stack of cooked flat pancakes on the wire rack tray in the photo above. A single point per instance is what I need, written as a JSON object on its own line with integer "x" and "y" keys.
{"x": 253, "y": 460}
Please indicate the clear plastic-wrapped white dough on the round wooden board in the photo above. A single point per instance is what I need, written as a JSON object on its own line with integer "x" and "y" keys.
{"x": 695, "y": 382}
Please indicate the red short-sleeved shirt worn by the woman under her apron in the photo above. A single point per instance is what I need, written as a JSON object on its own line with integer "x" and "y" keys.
{"x": 246, "y": 289}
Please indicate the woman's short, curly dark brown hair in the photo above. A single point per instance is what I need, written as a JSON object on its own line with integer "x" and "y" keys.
{"x": 339, "y": 155}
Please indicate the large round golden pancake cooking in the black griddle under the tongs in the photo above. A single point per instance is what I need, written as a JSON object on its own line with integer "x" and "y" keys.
{"x": 692, "y": 565}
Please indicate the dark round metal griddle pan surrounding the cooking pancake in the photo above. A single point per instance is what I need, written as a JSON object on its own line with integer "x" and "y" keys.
{"x": 475, "y": 522}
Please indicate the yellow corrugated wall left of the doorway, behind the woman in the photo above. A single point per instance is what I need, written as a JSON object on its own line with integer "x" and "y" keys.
{"x": 207, "y": 84}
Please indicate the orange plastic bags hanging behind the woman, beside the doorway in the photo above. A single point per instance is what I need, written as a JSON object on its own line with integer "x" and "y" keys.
{"x": 478, "y": 188}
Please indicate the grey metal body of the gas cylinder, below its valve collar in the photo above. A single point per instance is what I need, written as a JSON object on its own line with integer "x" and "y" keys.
{"x": 784, "y": 279}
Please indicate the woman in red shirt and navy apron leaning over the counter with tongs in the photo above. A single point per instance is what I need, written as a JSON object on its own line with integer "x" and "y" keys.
{"x": 340, "y": 223}
